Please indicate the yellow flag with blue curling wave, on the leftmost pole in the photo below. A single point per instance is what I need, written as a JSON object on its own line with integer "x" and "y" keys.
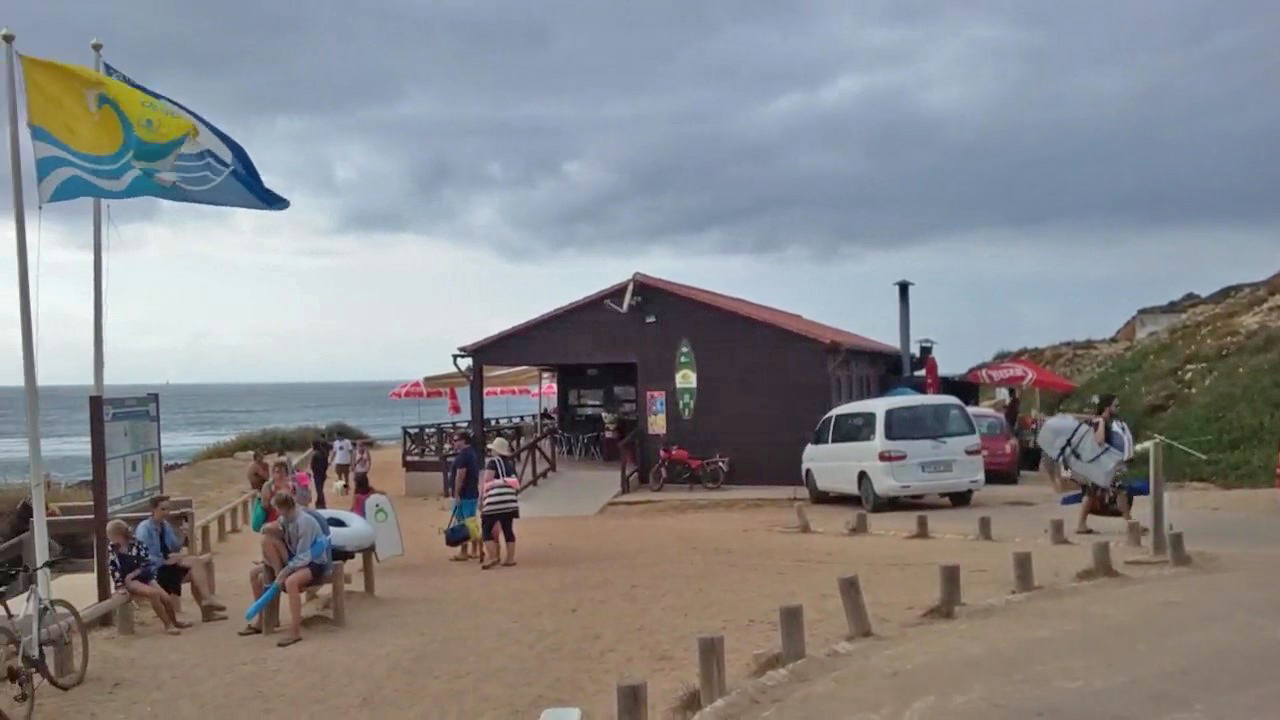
{"x": 97, "y": 136}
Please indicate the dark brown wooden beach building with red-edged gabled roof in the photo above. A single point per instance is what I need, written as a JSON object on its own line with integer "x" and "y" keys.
{"x": 710, "y": 372}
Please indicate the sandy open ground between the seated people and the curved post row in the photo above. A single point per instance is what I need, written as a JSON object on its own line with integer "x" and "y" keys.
{"x": 623, "y": 594}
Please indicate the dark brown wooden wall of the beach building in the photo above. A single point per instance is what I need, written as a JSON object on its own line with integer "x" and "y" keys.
{"x": 761, "y": 390}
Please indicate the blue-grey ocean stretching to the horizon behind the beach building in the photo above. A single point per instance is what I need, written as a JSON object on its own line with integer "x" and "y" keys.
{"x": 196, "y": 416}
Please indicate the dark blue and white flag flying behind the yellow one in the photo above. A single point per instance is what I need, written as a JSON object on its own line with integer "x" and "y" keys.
{"x": 212, "y": 168}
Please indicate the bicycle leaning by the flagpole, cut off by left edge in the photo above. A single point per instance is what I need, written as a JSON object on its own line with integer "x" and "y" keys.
{"x": 54, "y": 625}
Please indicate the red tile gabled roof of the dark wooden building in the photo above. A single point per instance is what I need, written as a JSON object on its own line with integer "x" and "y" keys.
{"x": 780, "y": 320}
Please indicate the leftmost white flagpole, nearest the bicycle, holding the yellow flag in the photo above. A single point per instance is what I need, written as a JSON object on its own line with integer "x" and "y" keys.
{"x": 39, "y": 523}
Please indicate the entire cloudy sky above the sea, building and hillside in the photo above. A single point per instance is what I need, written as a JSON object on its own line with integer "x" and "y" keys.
{"x": 1039, "y": 170}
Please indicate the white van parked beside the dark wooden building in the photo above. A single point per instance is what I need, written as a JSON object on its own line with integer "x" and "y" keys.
{"x": 885, "y": 448}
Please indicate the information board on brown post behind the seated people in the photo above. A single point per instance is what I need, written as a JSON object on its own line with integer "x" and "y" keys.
{"x": 129, "y": 466}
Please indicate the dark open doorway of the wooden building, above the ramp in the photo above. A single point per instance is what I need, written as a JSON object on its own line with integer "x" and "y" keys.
{"x": 596, "y": 409}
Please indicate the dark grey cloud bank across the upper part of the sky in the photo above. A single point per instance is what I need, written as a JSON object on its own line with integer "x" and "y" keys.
{"x": 746, "y": 126}
